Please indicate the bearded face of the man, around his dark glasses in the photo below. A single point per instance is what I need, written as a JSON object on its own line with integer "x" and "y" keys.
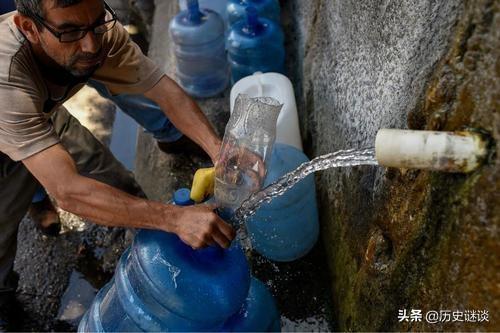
{"x": 82, "y": 57}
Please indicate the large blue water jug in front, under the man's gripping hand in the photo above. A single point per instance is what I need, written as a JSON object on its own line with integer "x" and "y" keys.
{"x": 161, "y": 284}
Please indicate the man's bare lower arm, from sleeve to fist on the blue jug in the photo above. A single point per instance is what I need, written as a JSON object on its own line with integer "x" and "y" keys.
{"x": 54, "y": 168}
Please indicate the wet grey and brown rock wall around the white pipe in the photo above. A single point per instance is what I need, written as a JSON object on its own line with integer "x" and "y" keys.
{"x": 401, "y": 239}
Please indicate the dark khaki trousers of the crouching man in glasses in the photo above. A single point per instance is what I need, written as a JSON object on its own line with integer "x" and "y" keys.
{"x": 17, "y": 186}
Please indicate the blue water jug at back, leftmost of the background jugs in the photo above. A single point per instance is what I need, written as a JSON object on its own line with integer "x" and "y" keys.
{"x": 198, "y": 36}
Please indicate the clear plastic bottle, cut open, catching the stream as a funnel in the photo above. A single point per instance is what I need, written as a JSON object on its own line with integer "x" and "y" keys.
{"x": 247, "y": 145}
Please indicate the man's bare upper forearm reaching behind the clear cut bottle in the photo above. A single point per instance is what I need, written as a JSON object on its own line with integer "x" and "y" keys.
{"x": 185, "y": 114}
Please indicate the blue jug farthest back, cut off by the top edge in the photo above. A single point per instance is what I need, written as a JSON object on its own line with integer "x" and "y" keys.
{"x": 265, "y": 8}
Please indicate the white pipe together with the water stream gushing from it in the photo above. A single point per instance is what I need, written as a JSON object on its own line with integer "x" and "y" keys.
{"x": 442, "y": 151}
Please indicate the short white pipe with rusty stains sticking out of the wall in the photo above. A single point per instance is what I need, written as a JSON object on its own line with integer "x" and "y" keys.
{"x": 442, "y": 151}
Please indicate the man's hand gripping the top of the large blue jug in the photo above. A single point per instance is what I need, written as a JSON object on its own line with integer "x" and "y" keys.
{"x": 198, "y": 226}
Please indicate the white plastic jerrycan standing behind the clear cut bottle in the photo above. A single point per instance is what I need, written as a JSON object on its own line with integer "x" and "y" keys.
{"x": 279, "y": 87}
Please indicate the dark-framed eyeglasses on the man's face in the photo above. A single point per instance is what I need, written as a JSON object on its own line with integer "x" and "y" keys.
{"x": 77, "y": 34}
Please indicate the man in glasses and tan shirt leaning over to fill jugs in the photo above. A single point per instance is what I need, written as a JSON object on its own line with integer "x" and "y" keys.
{"x": 48, "y": 50}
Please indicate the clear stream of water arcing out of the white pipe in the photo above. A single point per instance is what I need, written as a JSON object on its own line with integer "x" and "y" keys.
{"x": 341, "y": 158}
